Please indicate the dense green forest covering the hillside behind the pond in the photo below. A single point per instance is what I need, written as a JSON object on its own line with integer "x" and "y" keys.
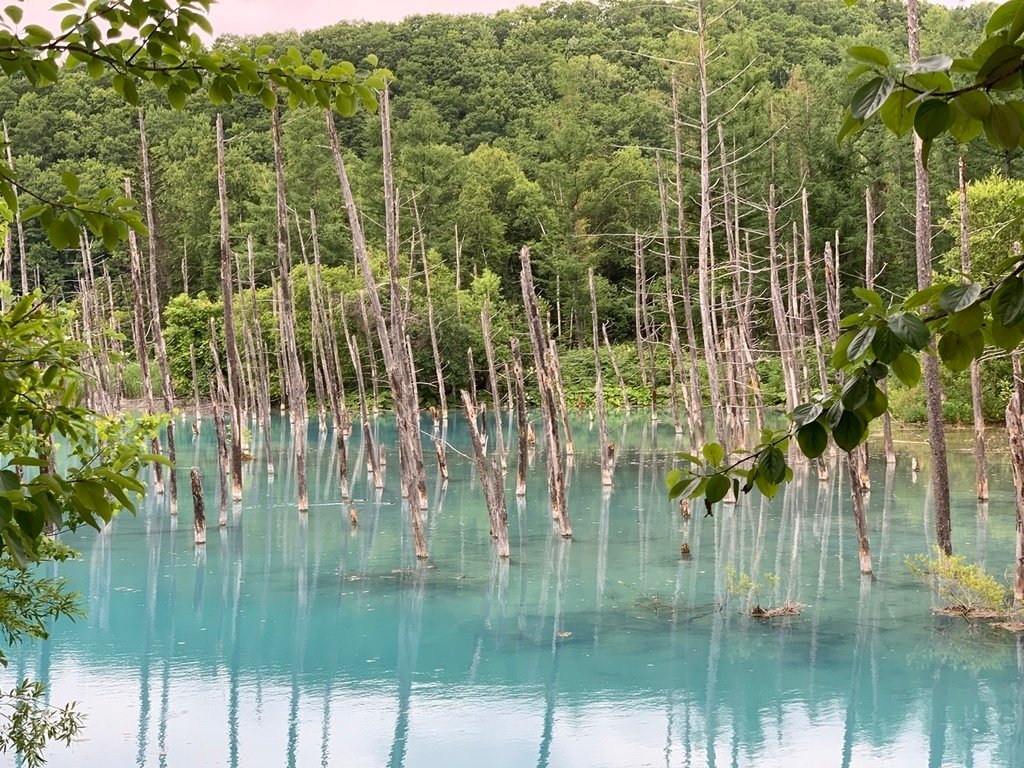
{"x": 542, "y": 127}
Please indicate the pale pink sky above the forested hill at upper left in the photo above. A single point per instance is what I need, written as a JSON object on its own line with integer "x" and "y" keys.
{"x": 254, "y": 17}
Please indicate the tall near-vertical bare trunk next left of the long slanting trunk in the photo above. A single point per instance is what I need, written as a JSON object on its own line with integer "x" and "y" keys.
{"x": 295, "y": 380}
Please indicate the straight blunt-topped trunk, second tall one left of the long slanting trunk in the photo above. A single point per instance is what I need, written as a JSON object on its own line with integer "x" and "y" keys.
{"x": 231, "y": 348}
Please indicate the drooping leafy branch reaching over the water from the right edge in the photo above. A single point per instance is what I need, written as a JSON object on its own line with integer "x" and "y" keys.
{"x": 879, "y": 342}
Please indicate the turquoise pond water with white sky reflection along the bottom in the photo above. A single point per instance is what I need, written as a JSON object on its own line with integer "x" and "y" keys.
{"x": 295, "y": 642}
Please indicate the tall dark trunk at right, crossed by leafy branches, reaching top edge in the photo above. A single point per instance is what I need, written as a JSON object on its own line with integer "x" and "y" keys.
{"x": 933, "y": 386}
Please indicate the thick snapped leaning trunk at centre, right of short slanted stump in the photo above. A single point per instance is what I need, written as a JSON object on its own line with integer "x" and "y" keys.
{"x": 557, "y": 476}
